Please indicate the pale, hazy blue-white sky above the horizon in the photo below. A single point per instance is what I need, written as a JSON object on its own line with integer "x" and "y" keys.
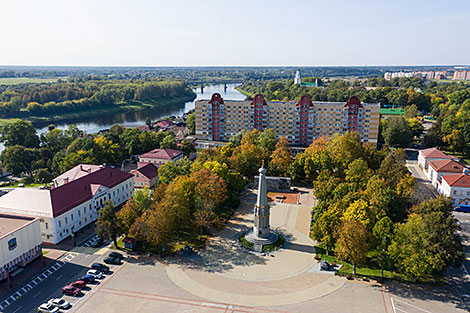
{"x": 234, "y": 33}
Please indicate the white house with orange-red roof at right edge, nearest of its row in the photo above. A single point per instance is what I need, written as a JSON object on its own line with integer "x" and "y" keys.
{"x": 457, "y": 187}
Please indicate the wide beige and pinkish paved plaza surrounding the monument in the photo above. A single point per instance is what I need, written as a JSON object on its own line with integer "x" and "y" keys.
{"x": 227, "y": 278}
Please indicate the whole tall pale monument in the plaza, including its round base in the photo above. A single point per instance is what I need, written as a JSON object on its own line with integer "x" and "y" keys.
{"x": 261, "y": 233}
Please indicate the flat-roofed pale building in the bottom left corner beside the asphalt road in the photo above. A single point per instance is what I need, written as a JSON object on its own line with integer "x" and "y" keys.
{"x": 20, "y": 242}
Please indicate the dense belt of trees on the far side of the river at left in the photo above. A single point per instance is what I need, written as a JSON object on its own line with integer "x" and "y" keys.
{"x": 73, "y": 96}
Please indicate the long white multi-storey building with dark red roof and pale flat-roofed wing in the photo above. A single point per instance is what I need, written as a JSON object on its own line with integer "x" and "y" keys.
{"x": 65, "y": 209}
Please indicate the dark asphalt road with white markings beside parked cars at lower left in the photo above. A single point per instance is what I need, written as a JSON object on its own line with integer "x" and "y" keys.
{"x": 51, "y": 286}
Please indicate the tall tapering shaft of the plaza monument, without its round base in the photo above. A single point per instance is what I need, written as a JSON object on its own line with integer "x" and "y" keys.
{"x": 261, "y": 210}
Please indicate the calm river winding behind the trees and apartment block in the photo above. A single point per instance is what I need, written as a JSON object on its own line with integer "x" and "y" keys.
{"x": 137, "y": 118}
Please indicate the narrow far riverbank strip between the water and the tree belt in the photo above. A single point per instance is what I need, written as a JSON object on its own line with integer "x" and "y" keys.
{"x": 134, "y": 106}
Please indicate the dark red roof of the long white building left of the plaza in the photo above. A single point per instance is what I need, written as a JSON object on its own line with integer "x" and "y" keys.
{"x": 68, "y": 196}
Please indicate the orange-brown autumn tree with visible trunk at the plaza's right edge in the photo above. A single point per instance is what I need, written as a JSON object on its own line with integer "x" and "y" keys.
{"x": 352, "y": 243}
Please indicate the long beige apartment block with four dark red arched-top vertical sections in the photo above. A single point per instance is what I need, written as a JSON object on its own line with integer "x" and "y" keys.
{"x": 300, "y": 122}
